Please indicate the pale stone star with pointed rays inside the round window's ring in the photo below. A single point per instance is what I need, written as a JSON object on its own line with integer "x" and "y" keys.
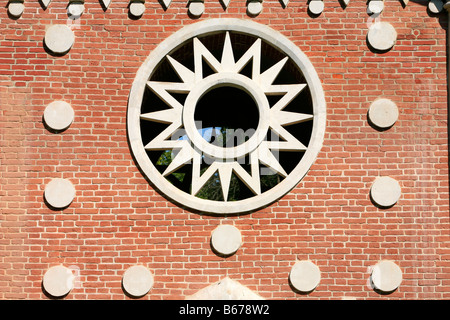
{"x": 226, "y": 73}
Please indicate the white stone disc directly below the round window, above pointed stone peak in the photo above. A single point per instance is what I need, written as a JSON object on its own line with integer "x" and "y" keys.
{"x": 226, "y": 239}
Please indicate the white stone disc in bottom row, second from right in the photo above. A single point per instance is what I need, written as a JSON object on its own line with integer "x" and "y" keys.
{"x": 304, "y": 276}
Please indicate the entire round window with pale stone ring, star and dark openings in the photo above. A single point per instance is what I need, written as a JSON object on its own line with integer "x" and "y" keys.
{"x": 226, "y": 116}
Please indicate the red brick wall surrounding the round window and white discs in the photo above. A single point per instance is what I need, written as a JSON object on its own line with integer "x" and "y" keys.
{"x": 118, "y": 220}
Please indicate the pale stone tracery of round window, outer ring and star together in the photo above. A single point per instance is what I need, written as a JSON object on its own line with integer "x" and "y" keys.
{"x": 195, "y": 88}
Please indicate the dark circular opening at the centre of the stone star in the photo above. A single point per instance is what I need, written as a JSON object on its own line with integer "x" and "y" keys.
{"x": 226, "y": 116}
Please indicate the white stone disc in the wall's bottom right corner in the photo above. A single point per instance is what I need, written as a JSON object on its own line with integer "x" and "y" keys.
{"x": 386, "y": 276}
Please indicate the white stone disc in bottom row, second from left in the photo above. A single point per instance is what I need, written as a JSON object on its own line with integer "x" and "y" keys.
{"x": 137, "y": 281}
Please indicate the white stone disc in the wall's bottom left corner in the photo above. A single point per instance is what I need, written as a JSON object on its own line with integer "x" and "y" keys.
{"x": 58, "y": 281}
